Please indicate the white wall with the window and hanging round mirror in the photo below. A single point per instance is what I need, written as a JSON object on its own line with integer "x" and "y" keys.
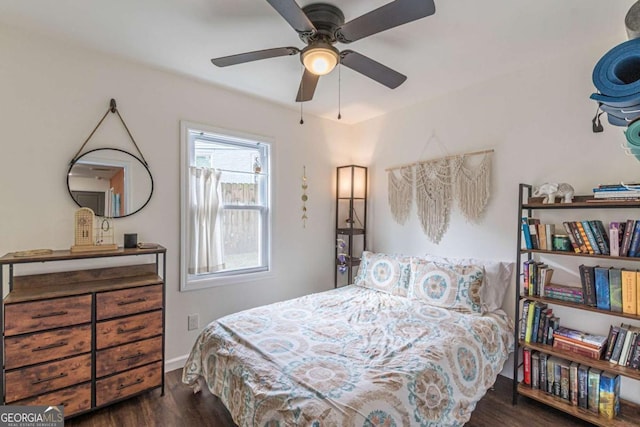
{"x": 54, "y": 95}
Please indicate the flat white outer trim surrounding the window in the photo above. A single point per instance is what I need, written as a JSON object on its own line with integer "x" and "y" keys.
{"x": 187, "y": 284}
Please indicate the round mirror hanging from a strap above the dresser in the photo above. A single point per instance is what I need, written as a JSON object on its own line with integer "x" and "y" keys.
{"x": 112, "y": 182}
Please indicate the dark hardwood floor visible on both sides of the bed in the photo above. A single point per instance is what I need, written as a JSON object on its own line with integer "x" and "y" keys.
{"x": 180, "y": 407}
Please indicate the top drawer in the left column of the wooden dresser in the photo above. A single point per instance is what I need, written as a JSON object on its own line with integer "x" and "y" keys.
{"x": 36, "y": 316}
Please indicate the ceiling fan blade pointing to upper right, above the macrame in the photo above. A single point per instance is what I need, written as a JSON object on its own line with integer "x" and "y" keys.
{"x": 390, "y": 15}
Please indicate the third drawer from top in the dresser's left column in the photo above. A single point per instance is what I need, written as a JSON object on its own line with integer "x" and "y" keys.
{"x": 22, "y": 383}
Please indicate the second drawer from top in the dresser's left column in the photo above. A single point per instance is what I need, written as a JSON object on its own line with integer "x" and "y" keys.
{"x": 45, "y": 346}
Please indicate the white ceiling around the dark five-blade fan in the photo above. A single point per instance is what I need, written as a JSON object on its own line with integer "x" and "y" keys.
{"x": 465, "y": 42}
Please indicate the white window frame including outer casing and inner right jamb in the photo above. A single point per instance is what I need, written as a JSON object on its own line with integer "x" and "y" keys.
{"x": 189, "y": 282}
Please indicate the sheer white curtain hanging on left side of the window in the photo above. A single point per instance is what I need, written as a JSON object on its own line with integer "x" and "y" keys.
{"x": 204, "y": 236}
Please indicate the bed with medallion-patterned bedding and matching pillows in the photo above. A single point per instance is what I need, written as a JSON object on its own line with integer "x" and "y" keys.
{"x": 410, "y": 343}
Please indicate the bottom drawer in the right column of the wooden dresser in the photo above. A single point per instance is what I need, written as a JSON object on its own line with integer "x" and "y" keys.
{"x": 128, "y": 383}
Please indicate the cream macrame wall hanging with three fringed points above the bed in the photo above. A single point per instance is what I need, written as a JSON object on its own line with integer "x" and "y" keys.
{"x": 437, "y": 182}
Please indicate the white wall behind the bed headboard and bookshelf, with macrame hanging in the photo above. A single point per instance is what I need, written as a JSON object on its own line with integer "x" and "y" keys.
{"x": 538, "y": 121}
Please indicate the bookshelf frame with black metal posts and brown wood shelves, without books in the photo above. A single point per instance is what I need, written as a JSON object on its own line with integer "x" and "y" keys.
{"x": 532, "y": 207}
